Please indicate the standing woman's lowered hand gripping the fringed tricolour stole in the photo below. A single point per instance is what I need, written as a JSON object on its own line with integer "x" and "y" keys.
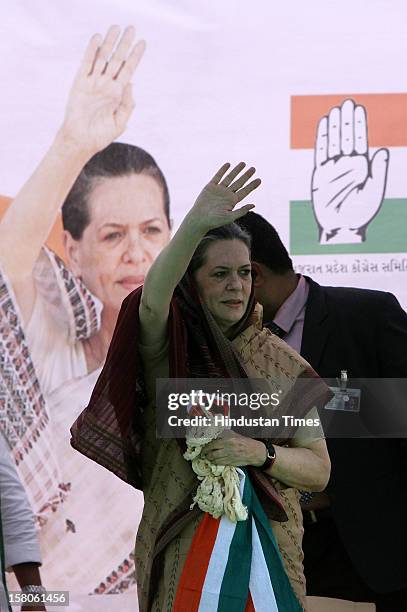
{"x": 233, "y": 449}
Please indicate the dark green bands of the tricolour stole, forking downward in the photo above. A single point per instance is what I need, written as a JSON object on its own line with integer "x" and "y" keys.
{"x": 234, "y": 590}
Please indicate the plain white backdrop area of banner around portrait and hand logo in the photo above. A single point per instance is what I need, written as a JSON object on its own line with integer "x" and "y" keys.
{"x": 214, "y": 85}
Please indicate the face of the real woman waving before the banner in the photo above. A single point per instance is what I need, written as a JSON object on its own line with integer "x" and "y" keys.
{"x": 224, "y": 281}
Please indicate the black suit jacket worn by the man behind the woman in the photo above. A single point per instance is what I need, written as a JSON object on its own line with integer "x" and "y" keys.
{"x": 365, "y": 333}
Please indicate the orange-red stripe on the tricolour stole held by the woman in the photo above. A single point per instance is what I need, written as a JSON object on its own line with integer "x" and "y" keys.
{"x": 196, "y": 565}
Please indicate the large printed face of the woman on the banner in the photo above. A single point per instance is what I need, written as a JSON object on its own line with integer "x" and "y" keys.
{"x": 127, "y": 230}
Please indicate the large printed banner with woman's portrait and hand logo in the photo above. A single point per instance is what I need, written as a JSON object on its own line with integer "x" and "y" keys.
{"x": 304, "y": 91}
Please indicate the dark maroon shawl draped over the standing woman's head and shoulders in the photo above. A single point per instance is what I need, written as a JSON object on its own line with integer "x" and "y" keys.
{"x": 110, "y": 430}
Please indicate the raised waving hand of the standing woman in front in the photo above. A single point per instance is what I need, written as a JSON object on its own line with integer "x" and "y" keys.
{"x": 215, "y": 205}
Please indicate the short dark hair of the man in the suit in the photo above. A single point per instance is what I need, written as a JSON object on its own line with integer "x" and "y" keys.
{"x": 267, "y": 247}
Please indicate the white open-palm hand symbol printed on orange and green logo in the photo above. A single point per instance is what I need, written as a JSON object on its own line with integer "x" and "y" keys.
{"x": 347, "y": 187}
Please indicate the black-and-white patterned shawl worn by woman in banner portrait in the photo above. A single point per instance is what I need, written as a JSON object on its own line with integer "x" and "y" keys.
{"x": 24, "y": 417}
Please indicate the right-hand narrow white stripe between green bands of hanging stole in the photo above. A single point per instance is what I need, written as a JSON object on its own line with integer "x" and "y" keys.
{"x": 261, "y": 588}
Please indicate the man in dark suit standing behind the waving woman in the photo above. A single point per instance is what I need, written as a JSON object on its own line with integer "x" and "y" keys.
{"x": 355, "y": 540}
